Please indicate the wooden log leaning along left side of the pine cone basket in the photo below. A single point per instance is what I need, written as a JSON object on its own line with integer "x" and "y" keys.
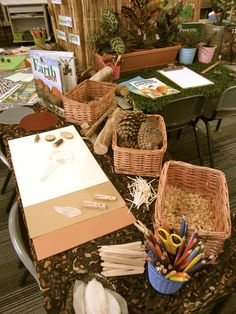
{"x": 103, "y": 140}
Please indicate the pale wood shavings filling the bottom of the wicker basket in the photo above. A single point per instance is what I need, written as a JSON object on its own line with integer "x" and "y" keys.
{"x": 179, "y": 202}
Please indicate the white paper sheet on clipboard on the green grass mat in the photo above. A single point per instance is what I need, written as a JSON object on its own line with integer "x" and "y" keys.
{"x": 186, "y": 78}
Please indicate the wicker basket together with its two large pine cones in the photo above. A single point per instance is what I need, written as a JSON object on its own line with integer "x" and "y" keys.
{"x": 139, "y": 143}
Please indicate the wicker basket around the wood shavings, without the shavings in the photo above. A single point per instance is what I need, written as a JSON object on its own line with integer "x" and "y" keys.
{"x": 208, "y": 183}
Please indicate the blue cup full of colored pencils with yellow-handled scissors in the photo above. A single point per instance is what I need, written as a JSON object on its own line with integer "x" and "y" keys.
{"x": 172, "y": 259}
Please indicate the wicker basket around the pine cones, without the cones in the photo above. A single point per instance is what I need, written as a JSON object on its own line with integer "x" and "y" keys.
{"x": 140, "y": 162}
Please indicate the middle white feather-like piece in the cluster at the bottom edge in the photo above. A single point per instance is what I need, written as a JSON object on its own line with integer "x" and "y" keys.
{"x": 95, "y": 298}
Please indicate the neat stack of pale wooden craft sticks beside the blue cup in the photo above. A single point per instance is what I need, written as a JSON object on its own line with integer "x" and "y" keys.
{"x": 123, "y": 259}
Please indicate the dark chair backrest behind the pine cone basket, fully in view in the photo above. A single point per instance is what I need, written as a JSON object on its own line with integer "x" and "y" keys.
{"x": 182, "y": 111}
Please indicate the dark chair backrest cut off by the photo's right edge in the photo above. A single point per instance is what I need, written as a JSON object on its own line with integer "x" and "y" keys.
{"x": 227, "y": 103}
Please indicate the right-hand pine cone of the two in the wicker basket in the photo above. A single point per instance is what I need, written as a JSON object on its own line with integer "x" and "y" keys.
{"x": 149, "y": 136}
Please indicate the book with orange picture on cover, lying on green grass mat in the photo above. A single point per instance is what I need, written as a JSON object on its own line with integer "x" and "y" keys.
{"x": 153, "y": 88}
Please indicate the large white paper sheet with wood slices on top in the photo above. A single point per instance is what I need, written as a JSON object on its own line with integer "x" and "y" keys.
{"x": 32, "y": 160}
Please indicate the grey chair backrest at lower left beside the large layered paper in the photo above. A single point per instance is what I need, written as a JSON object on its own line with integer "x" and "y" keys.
{"x": 16, "y": 232}
